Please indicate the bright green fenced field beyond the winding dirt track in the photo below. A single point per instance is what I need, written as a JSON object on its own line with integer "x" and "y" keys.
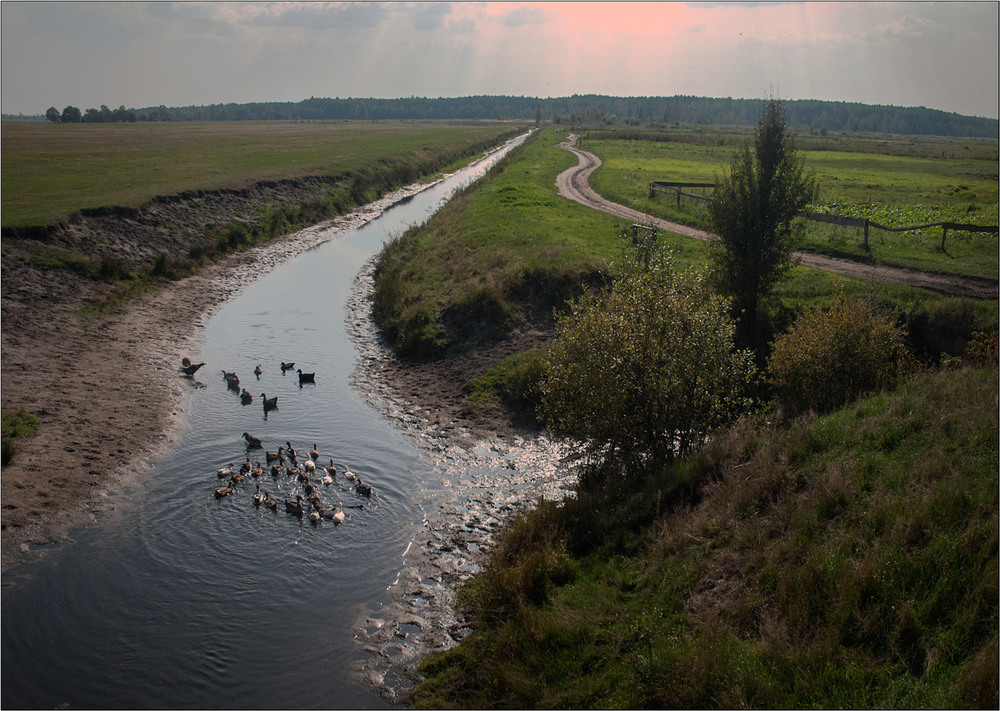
{"x": 896, "y": 183}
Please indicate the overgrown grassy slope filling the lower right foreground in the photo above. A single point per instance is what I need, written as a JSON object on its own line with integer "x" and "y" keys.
{"x": 848, "y": 561}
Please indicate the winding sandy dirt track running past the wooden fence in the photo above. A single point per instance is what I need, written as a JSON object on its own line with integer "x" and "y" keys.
{"x": 573, "y": 184}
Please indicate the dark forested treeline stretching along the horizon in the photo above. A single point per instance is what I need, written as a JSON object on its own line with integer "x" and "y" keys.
{"x": 589, "y": 108}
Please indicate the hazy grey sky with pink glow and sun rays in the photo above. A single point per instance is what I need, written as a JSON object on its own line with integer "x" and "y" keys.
{"x": 939, "y": 55}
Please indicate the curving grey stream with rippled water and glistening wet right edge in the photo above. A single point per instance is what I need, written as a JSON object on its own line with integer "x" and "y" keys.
{"x": 177, "y": 599}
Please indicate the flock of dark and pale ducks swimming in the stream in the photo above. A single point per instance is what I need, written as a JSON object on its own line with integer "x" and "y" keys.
{"x": 283, "y": 463}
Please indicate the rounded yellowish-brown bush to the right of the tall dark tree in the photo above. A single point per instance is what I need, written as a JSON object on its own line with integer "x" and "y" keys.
{"x": 828, "y": 358}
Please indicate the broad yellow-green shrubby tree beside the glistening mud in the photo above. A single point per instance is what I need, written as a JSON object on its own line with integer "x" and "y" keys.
{"x": 643, "y": 372}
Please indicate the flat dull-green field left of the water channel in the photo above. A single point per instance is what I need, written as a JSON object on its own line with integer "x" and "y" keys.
{"x": 52, "y": 170}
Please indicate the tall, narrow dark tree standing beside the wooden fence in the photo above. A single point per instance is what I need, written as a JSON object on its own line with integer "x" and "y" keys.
{"x": 752, "y": 213}
